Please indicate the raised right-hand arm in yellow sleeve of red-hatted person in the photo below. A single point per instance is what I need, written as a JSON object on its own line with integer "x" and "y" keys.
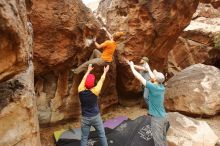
{"x": 97, "y": 89}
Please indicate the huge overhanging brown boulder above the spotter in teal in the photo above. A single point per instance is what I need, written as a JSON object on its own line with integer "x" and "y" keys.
{"x": 152, "y": 28}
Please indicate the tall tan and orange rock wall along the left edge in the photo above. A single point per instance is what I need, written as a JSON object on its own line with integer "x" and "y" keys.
{"x": 18, "y": 111}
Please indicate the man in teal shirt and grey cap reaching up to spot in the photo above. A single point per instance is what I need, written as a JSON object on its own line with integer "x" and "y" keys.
{"x": 157, "y": 113}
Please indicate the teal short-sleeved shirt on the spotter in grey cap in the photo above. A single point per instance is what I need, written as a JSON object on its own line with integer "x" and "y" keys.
{"x": 156, "y": 99}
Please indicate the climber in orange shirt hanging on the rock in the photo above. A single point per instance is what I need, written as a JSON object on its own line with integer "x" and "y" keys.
{"x": 103, "y": 58}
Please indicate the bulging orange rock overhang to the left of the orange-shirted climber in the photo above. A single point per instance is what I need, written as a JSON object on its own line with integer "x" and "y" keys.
{"x": 61, "y": 30}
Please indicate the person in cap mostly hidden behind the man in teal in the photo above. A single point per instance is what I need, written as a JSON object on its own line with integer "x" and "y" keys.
{"x": 145, "y": 74}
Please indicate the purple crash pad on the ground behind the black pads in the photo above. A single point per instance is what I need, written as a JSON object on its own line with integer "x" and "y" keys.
{"x": 112, "y": 123}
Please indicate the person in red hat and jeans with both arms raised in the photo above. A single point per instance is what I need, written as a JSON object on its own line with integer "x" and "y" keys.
{"x": 88, "y": 94}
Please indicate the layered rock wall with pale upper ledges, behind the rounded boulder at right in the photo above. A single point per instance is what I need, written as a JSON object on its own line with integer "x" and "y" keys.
{"x": 197, "y": 42}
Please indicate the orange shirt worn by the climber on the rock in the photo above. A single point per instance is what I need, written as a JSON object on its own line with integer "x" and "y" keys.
{"x": 108, "y": 50}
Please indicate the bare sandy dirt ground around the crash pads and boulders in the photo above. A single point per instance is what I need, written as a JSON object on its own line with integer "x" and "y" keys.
{"x": 131, "y": 112}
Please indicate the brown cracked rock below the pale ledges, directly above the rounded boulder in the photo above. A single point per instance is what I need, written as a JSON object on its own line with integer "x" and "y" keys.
{"x": 187, "y": 52}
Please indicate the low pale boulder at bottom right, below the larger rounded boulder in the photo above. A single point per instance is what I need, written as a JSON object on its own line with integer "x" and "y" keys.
{"x": 185, "y": 131}
